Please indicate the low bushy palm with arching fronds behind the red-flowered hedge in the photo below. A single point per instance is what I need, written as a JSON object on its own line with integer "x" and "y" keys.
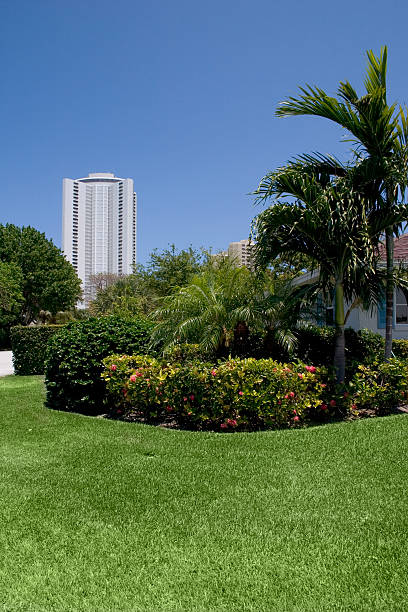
{"x": 221, "y": 302}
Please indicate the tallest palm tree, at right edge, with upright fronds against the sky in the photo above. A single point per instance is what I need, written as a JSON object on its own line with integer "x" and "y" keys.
{"x": 379, "y": 131}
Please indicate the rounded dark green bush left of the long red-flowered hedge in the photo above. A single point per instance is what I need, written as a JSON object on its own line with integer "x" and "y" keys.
{"x": 74, "y": 360}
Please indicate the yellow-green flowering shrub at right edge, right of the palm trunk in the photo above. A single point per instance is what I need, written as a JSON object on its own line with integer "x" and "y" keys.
{"x": 380, "y": 386}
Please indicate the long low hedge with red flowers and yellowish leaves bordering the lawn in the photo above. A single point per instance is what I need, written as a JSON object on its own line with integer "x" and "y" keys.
{"x": 238, "y": 394}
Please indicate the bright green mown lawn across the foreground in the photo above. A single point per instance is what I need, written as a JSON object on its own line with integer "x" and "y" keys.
{"x": 102, "y": 515}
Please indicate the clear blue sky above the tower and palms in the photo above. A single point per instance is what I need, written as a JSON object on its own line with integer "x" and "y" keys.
{"x": 178, "y": 95}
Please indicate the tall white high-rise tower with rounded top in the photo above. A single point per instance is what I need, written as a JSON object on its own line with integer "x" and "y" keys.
{"x": 99, "y": 222}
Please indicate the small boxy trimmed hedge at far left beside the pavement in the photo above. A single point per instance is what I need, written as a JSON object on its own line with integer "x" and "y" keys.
{"x": 29, "y": 345}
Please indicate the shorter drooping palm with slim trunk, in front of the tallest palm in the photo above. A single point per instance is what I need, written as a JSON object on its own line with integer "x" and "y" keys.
{"x": 335, "y": 226}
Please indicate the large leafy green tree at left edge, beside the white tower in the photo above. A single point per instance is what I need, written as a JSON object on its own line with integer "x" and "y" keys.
{"x": 49, "y": 280}
